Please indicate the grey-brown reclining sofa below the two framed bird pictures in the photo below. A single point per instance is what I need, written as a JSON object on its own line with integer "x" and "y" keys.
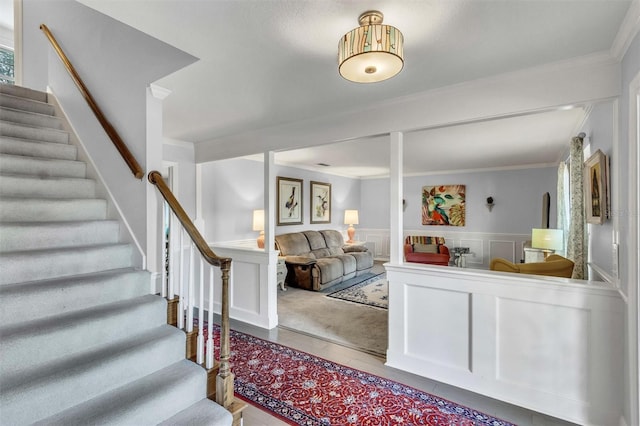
{"x": 319, "y": 259}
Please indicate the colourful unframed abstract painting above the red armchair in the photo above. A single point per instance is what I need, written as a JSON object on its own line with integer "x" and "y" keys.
{"x": 443, "y": 205}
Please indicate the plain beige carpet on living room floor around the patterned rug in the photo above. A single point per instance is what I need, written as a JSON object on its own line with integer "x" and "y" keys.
{"x": 346, "y": 323}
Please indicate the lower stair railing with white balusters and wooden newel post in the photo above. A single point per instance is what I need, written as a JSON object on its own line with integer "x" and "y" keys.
{"x": 186, "y": 292}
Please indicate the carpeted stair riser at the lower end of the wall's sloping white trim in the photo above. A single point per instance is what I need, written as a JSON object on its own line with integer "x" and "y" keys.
{"x": 32, "y": 265}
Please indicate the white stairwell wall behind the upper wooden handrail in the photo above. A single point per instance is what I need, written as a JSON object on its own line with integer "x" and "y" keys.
{"x": 117, "y": 63}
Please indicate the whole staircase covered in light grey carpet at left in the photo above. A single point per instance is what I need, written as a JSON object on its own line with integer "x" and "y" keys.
{"x": 81, "y": 339}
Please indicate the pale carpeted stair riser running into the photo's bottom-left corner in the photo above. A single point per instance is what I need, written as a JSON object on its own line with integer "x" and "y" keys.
{"x": 69, "y": 387}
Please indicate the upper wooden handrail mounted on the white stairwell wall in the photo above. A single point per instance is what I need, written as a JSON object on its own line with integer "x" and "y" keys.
{"x": 111, "y": 131}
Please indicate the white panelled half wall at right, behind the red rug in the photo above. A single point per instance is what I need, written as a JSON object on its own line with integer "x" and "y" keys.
{"x": 550, "y": 345}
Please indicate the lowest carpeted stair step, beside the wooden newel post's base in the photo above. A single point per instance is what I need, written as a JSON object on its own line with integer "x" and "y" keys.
{"x": 150, "y": 401}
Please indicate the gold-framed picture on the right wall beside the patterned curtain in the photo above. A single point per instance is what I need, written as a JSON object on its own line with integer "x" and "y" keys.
{"x": 596, "y": 188}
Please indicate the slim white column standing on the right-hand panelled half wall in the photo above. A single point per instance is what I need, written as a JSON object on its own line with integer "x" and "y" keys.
{"x": 396, "y": 195}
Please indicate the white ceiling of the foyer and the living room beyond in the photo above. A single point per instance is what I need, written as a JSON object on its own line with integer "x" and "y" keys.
{"x": 265, "y": 63}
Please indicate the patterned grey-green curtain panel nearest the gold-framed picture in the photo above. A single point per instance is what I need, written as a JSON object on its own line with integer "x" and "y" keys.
{"x": 576, "y": 238}
